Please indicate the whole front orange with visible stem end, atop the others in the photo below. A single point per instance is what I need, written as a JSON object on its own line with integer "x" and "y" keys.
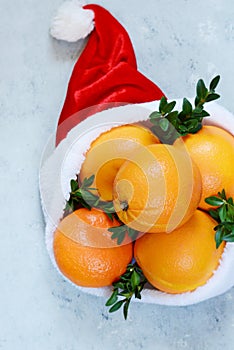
{"x": 158, "y": 190}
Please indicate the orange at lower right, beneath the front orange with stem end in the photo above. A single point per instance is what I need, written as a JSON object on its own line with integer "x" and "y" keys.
{"x": 182, "y": 260}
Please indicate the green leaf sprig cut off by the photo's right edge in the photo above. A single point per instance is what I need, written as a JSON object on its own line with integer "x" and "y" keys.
{"x": 224, "y": 215}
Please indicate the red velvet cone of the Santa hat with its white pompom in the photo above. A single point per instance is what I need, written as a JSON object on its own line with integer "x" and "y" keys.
{"x": 105, "y": 74}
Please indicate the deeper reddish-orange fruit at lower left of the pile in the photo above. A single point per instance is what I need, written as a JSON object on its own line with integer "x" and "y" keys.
{"x": 85, "y": 265}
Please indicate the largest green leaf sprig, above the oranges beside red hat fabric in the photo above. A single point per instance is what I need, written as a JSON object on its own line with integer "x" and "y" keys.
{"x": 169, "y": 124}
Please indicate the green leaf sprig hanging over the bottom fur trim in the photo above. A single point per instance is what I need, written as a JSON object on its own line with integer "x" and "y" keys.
{"x": 130, "y": 284}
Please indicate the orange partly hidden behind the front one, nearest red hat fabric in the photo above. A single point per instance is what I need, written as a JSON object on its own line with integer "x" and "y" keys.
{"x": 109, "y": 151}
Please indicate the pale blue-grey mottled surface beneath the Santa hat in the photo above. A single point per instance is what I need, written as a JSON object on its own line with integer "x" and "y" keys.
{"x": 176, "y": 42}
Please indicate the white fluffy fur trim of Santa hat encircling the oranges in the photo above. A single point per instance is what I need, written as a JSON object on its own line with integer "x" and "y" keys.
{"x": 62, "y": 164}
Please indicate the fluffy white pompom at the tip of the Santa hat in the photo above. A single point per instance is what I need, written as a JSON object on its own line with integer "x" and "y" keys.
{"x": 72, "y": 22}
